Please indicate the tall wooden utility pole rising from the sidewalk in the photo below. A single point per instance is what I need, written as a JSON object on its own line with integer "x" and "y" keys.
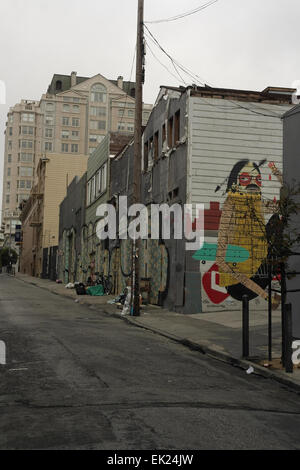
{"x": 139, "y": 80}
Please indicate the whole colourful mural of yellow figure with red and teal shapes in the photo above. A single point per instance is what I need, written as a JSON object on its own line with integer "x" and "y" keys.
{"x": 235, "y": 260}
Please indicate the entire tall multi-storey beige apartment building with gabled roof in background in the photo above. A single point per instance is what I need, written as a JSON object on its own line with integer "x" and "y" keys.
{"x": 71, "y": 119}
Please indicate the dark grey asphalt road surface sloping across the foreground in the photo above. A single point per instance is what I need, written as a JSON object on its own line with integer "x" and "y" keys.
{"x": 76, "y": 378}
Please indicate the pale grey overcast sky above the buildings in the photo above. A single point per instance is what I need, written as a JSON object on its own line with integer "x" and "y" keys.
{"x": 233, "y": 43}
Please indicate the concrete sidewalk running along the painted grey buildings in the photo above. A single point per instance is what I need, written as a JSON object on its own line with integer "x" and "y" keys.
{"x": 218, "y": 335}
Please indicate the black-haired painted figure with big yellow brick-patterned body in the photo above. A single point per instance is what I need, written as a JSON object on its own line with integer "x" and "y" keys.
{"x": 242, "y": 224}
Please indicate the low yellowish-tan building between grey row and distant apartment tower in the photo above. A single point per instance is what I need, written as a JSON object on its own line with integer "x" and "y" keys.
{"x": 40, "y": 213}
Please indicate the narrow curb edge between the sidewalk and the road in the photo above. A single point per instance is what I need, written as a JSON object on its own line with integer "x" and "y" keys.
{"x": 203, "y": 349}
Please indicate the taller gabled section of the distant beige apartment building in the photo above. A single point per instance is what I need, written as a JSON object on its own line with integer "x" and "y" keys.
{"x": 80, "y": 111}
